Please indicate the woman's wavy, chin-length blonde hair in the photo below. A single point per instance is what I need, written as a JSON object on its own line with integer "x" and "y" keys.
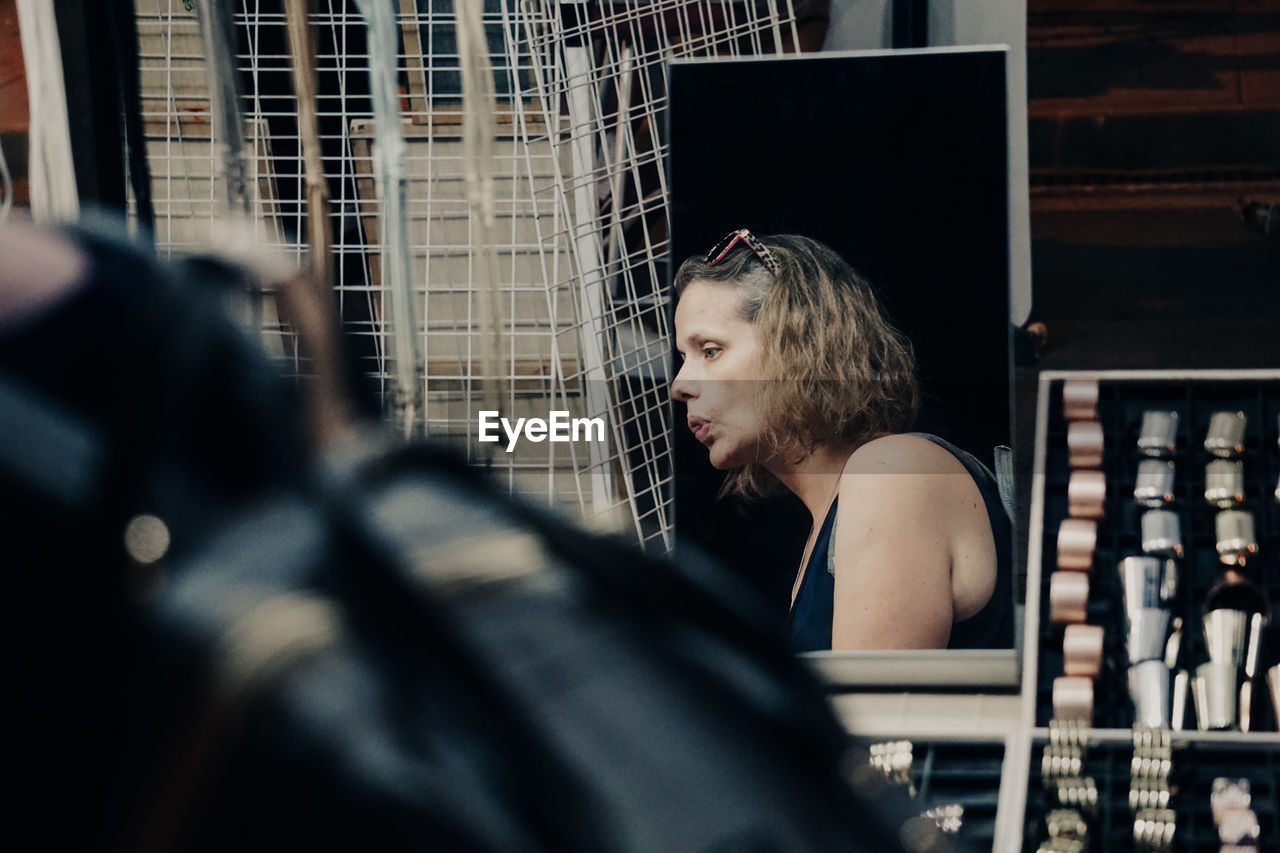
{"x": 836, "y": 370}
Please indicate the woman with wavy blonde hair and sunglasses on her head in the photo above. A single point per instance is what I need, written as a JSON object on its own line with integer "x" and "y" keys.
{"x": 792, "y": 376}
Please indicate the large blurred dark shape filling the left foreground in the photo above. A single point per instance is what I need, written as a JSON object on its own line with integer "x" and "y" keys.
{"x": 368, "y": 650}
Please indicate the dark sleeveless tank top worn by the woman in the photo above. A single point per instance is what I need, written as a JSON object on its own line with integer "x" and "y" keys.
{"x": 808, "y": 627}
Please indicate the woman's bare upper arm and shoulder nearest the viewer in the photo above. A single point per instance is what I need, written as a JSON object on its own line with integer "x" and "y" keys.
{"x": 894, "y": 546}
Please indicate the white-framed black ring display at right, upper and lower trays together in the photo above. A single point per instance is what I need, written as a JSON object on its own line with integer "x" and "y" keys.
{"x": 1197, "y": 758}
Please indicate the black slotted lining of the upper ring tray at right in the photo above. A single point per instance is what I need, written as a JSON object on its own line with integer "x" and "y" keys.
{"x": 1121, "y": 409}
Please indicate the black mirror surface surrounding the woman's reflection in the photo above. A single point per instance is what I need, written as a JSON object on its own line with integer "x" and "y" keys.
{"x": 898, "y": 163}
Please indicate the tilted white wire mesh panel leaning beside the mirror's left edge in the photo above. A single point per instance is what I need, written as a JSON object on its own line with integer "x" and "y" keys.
{"x": 601, "y": 70}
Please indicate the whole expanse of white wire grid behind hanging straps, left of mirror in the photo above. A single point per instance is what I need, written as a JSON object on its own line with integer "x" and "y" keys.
{"x": 566, "y": 231}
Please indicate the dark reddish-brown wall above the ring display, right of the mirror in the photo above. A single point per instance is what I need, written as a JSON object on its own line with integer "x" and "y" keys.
{"x": 1155, "y": 144}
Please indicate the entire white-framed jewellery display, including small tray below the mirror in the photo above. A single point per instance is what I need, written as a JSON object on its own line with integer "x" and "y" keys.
{"x": 962, "y": 737}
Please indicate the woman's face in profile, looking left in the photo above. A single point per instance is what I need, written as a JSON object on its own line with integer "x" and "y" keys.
{"x": 720, "y": 373}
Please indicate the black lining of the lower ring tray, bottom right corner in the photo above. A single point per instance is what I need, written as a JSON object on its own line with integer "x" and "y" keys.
{"x": 1196, "y": 765}
